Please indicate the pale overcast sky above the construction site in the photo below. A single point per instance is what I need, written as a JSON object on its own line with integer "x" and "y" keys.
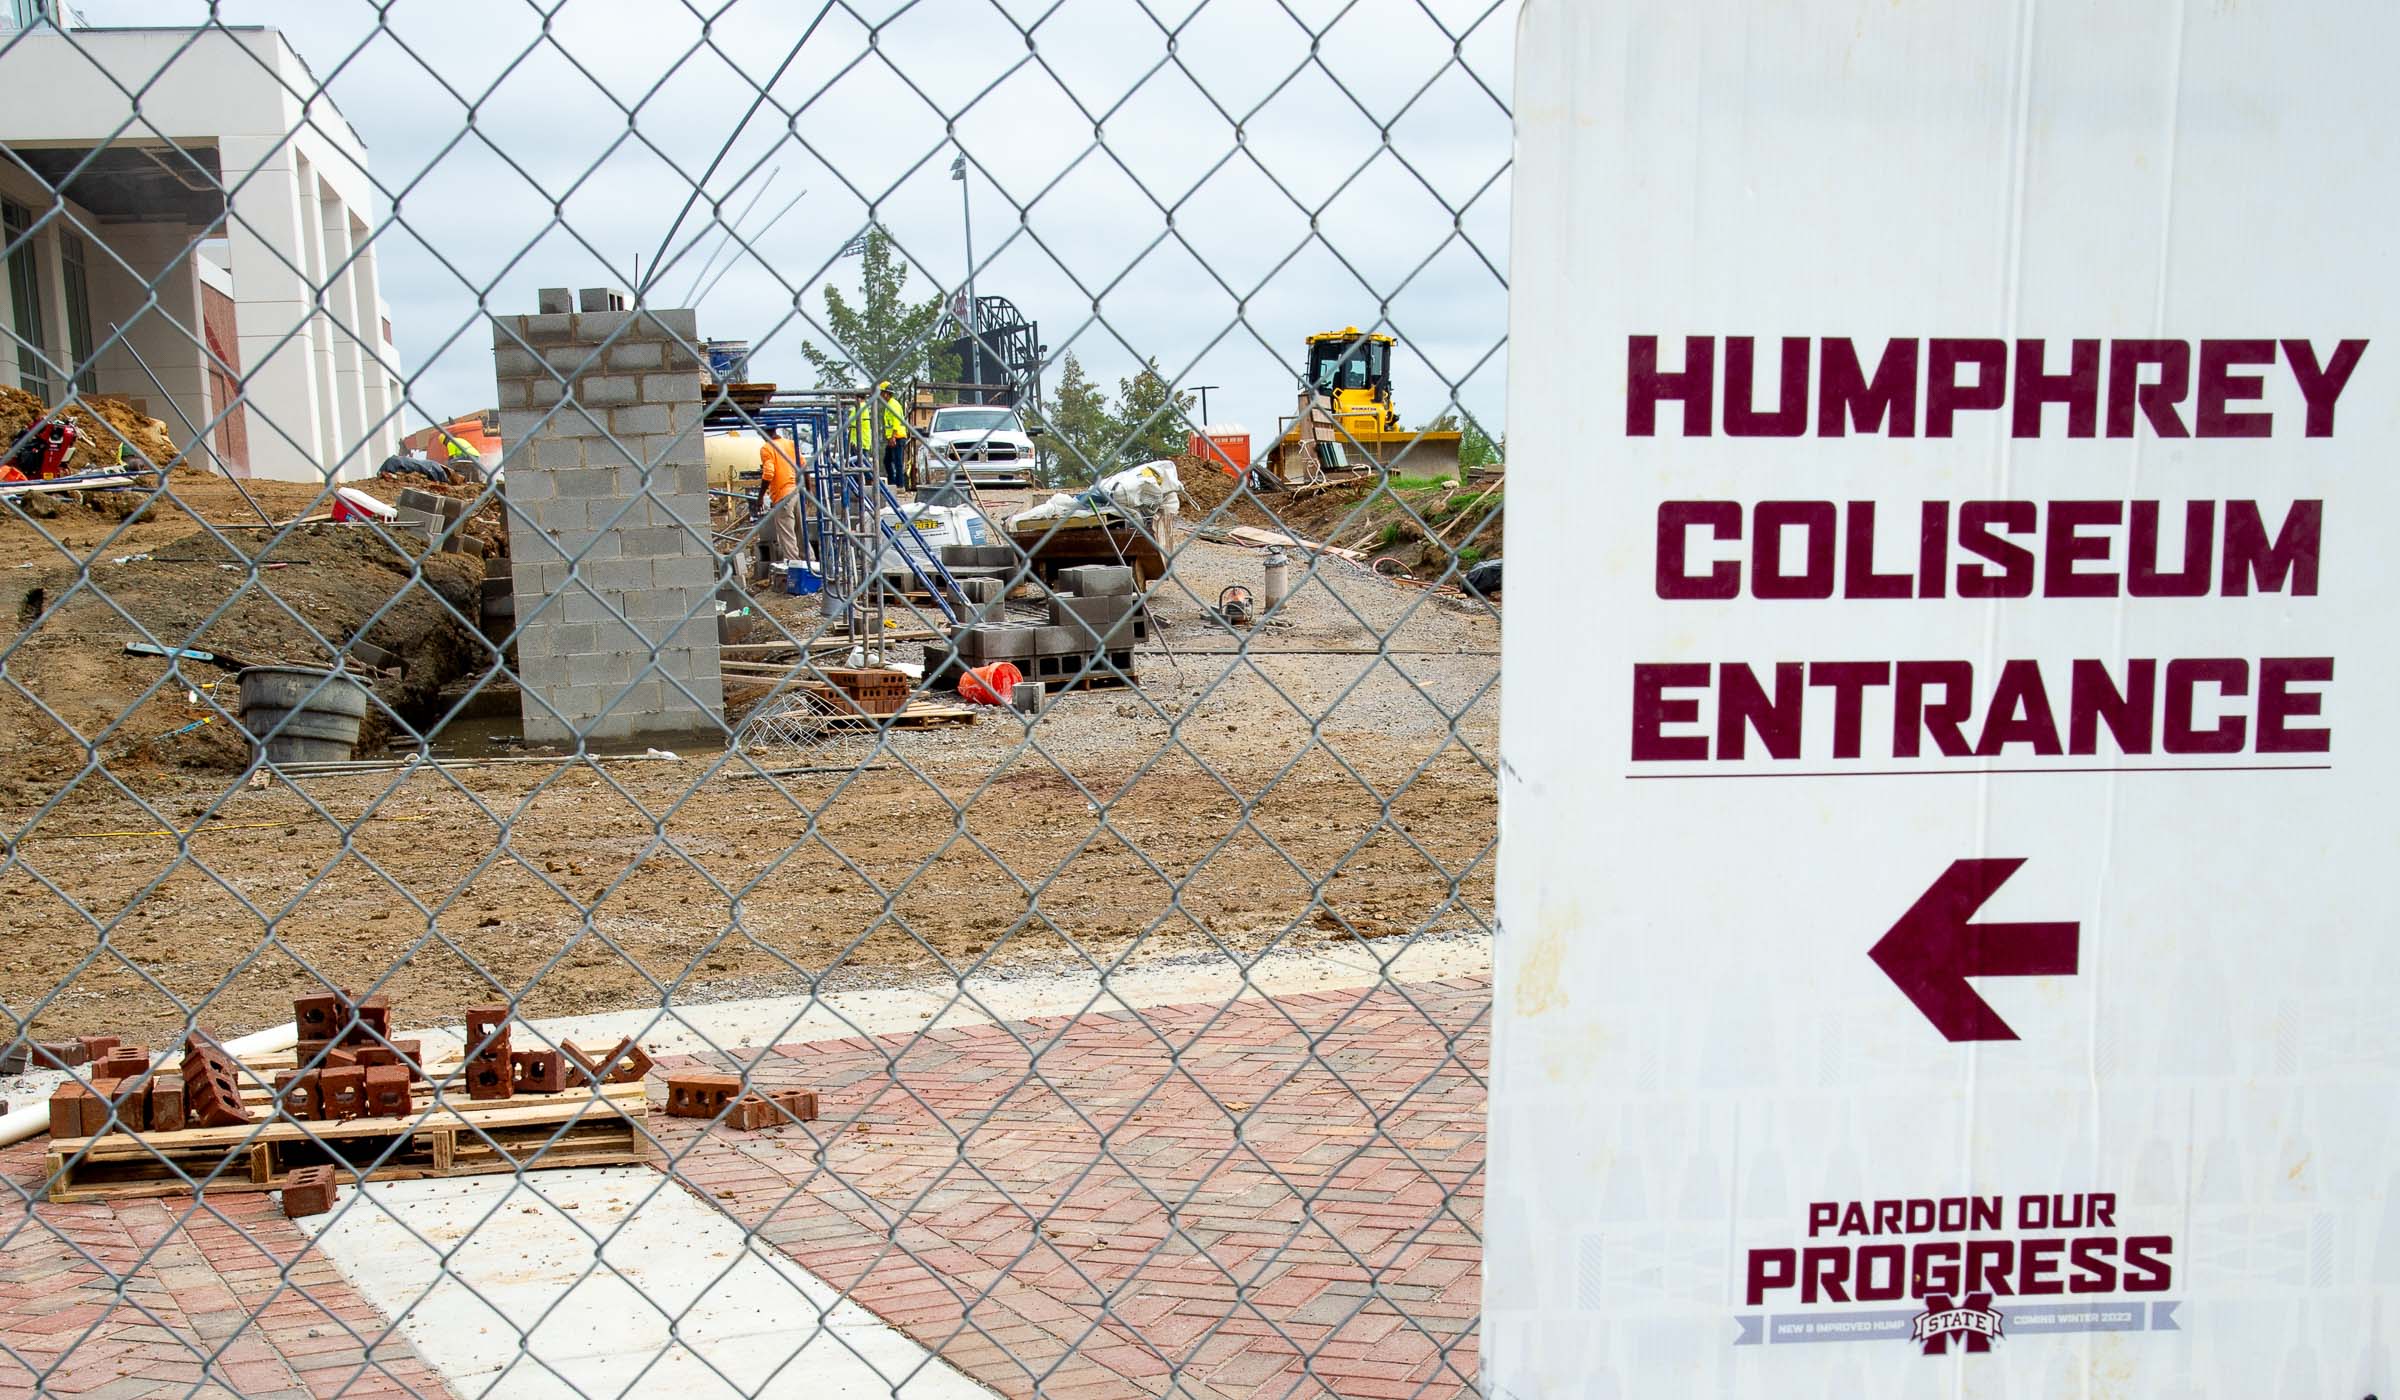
{"x": 1213, "y": 114}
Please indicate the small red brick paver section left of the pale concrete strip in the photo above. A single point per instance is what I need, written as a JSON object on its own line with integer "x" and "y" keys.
{"x": 217, "y": 1303}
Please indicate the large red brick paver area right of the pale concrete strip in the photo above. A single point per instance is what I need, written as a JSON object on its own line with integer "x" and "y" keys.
{"x": 1086, "y": 1219}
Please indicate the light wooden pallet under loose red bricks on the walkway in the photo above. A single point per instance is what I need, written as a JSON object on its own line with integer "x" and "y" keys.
{"x": 445, "y": 1139}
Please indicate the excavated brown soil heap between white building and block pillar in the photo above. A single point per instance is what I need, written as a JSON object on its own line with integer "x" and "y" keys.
{"x": 88, "y": 578}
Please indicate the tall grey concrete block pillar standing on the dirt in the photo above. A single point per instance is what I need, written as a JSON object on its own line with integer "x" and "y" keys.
{"x": 608, "y": 522}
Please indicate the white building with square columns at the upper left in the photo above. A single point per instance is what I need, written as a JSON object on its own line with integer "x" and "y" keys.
{"x": 299, "y": 196}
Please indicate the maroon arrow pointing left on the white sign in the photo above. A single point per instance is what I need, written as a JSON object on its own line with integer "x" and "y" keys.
{"x": 1933, "y": 950}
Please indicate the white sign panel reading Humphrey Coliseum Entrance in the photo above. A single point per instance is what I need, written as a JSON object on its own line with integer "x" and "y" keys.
{"x": 1952, "y": 717}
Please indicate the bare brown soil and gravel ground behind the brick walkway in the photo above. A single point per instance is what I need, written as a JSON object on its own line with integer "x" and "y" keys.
{"x": 1321, "y": 779}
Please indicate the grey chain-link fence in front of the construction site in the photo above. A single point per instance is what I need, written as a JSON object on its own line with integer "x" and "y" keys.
{"x": 488, "y": 657}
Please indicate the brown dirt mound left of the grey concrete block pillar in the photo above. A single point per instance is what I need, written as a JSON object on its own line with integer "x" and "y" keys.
{"x": 313, "y": 594}
